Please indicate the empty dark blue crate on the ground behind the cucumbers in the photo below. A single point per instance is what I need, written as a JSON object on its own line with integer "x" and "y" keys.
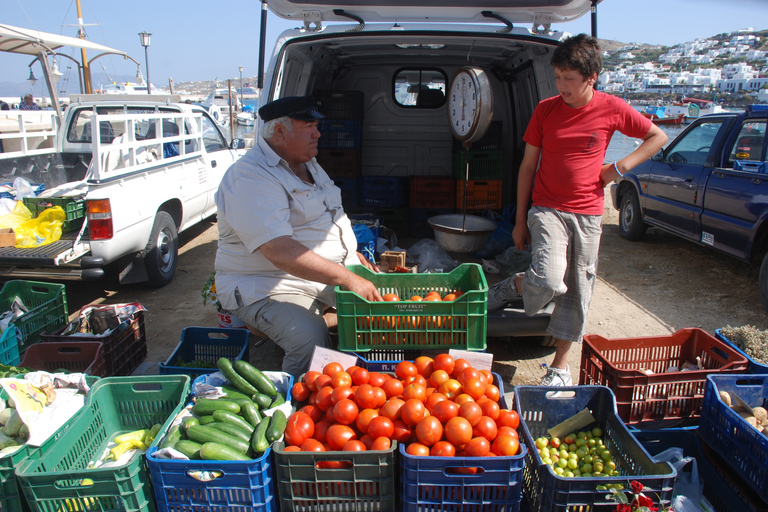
{"x": 206, "y": 344}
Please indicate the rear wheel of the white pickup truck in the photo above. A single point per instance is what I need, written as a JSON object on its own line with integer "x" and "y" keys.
{"x": 162, "y": 252}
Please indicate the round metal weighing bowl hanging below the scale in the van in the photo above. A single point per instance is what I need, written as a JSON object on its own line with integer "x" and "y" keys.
{"x": 449, "y": 234}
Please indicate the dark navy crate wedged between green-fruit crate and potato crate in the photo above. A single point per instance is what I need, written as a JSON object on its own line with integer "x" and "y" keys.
{"x": 714, "y": 479}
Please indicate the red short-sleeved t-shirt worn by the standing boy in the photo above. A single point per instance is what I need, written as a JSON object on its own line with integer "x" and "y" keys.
{"x": 573, "y": 142}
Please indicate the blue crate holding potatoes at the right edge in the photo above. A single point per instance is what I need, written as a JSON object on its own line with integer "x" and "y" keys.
{"x": 742, "y": 447}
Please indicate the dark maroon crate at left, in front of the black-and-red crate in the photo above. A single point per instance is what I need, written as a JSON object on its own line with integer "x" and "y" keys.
{"x": 74, "y": 356}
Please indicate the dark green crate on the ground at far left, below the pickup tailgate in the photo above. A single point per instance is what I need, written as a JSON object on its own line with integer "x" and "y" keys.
{"x": 46, "y": 304}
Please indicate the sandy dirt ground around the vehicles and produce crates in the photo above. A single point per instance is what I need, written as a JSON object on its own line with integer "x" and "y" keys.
{"x": 647, "y": 288}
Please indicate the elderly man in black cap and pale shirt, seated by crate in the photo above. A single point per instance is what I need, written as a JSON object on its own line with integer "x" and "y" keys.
{"x": 284, "y": 239}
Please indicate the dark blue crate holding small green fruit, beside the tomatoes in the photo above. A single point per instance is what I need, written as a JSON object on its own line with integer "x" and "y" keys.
{"x": 540, "y": 410}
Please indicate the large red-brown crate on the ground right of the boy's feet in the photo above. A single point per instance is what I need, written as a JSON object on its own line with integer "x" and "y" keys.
{"x": 665, "y": 396}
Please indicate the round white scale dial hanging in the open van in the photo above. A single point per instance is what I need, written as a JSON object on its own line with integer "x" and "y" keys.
{"x": 470, "y": 104}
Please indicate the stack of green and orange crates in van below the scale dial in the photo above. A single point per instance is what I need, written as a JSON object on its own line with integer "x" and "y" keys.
{"x": 482, "y": 189}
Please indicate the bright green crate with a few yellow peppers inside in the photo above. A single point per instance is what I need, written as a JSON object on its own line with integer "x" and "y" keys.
{"x": 116, "y": 405}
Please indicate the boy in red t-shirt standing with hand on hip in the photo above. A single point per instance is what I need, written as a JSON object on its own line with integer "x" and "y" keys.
{"x": 566, "y": 141}
